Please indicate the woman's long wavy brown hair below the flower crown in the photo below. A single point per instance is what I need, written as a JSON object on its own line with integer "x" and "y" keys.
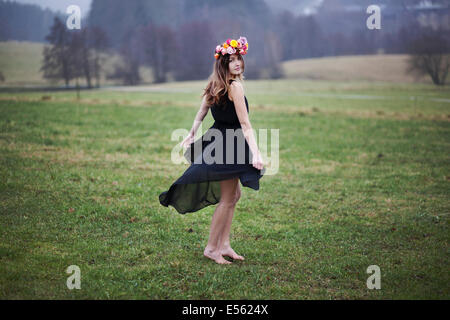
{"x": 219, "y": 80}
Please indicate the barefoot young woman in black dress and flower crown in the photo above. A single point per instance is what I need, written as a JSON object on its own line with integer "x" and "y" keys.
{"x": 205, "y": 183}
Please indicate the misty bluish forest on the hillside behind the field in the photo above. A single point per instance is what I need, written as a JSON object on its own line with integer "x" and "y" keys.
{"x": 186, "y": 32}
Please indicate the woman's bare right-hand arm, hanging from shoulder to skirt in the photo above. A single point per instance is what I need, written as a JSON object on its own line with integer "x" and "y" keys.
{"x": 237, "y": 93}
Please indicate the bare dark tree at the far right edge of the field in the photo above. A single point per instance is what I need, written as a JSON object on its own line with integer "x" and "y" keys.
{"x": 430, "y": 55}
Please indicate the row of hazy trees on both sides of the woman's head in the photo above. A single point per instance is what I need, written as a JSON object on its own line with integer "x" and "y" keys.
{"x": 187, "y": 53}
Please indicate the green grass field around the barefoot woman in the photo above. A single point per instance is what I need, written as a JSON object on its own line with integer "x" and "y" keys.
{"x": 361, "y": 182}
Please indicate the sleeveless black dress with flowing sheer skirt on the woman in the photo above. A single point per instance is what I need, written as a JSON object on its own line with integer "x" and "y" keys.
{"x": 199, "y": 186}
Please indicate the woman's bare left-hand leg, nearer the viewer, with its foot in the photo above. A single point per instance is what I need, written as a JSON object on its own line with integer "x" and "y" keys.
{"x": 220, "y": 220}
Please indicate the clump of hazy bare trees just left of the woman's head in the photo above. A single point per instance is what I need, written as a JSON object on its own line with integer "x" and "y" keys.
{"x": 166, "y": 53}
